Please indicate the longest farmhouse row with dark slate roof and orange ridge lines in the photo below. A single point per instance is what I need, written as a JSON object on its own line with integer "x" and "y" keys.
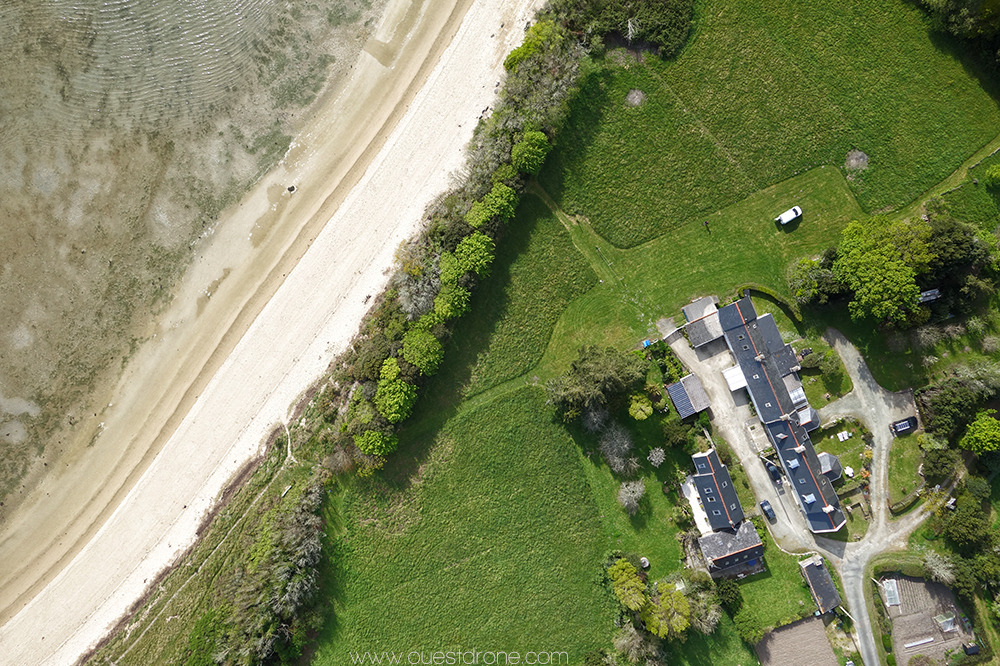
{"x": 768, "y": 370}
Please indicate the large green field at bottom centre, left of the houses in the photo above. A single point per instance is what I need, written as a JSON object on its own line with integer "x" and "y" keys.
{"x": 491, "y": 540}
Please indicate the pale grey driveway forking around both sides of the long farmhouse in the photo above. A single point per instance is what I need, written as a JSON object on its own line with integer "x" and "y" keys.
{"x": 867, "y": 402}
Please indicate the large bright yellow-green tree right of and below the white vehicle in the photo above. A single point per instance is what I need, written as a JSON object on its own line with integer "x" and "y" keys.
{"x": 879, "y": 260}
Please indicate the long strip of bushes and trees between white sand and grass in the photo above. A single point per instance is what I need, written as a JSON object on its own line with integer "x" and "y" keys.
{"x": 402, "y": 340}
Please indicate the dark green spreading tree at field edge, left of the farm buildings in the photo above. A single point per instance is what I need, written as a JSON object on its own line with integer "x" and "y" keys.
{"x": 595, "y": 379}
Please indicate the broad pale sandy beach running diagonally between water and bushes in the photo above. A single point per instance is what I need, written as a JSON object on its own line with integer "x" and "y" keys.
{"x": 272, "y": 298}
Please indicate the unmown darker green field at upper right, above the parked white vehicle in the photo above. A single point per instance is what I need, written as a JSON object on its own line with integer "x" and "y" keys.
{"x": 764, "y": 91}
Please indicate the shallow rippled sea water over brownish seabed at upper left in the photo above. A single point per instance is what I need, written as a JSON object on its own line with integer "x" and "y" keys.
{"x": 126, "y": 126}
